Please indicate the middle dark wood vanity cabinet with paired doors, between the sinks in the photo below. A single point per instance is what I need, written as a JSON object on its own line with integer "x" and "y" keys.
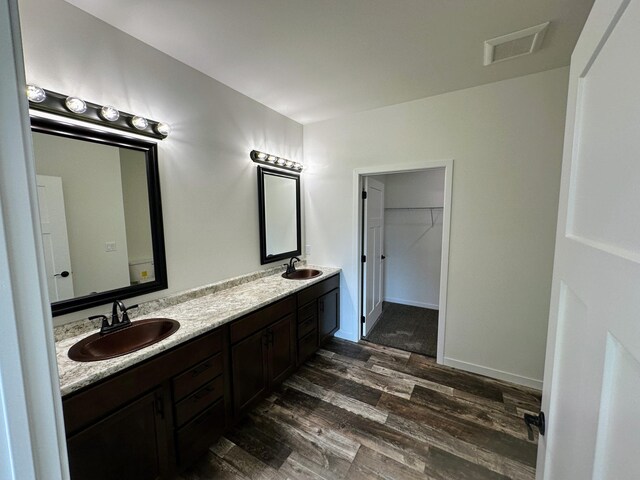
{"x": 262, "y": 352}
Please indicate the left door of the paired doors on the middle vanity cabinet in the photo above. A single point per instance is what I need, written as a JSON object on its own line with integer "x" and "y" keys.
{"x": 249, "y": 361}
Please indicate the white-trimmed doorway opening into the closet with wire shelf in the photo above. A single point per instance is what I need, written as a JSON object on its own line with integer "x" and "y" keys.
{"x": 404, "y": 250}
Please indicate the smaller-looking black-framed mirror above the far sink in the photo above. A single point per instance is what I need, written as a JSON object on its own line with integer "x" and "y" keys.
{"x": 279, "y": 213}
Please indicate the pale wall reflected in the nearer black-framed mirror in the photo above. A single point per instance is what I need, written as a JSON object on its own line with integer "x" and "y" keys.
{"x": 92, "y": 189}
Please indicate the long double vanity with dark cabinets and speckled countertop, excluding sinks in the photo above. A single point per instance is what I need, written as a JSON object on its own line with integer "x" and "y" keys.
{"x": 150, "y": 413}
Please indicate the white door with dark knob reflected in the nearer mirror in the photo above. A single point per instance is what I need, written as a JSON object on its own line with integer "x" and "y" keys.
{"x": 55, "y": 240}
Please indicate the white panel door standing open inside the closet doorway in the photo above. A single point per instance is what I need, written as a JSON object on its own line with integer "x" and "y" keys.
{"x": 373, "y": 240}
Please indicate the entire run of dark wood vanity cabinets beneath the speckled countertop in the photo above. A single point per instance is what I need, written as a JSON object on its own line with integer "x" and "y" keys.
{"x": 155, "y": 418}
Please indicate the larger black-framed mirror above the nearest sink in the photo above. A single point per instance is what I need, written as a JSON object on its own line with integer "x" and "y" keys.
{"x": 101, "y": 215}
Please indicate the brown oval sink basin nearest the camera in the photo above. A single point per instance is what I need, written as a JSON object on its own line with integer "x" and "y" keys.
{"x": 138, "y": 335}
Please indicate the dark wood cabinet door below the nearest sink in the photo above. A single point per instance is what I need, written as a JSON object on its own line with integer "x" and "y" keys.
{"x": 128, "y": 444}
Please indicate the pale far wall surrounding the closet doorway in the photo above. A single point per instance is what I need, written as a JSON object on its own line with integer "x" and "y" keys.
{"x": 506, "y": 142}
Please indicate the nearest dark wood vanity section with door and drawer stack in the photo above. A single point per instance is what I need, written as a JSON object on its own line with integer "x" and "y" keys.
{"x": 152, "y": 419}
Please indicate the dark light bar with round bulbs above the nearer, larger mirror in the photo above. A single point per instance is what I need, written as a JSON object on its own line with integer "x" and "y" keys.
{"x": 93, "y": 113}
